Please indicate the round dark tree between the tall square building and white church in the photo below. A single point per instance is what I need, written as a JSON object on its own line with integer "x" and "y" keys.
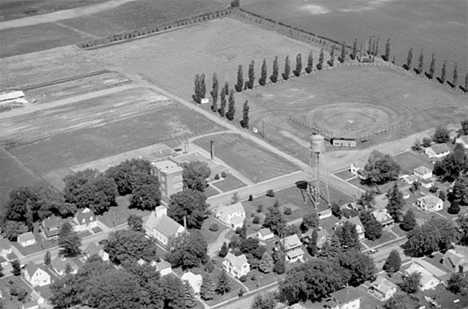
{"x": 188, "y": 207}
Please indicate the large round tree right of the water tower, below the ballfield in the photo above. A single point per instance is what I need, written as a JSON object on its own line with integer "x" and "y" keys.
{"x": 380, "y": 169}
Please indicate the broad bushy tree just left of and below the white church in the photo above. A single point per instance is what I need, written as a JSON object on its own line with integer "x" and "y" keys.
{"x": 126, "y": 246}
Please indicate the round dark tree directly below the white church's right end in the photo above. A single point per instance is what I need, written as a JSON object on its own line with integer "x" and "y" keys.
{"x": 188, "y": 250}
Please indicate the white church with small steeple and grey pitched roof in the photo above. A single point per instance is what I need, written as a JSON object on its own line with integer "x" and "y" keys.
{"x": 161, "y": 227}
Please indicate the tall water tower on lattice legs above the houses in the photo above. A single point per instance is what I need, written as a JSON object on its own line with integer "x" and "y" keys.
{"x": 318, "y": 186}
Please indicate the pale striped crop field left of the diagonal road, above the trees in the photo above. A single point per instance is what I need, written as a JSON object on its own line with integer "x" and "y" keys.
{"x": 131, "y": 122}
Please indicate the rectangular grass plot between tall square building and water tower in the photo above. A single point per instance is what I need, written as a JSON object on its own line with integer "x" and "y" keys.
{"x": 233, "y": 149}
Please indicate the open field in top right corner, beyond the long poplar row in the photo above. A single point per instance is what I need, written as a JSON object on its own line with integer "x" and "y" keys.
{"x": 435, "y": 26}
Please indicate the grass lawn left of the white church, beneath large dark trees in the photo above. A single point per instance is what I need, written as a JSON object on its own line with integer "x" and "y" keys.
{"x": 118, "y": 215}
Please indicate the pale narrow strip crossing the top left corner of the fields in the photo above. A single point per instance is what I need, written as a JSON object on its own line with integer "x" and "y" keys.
{"x": 60, "y": 15}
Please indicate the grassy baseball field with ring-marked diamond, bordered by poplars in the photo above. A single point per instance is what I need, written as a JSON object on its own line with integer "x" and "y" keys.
{"x": 341, "y": 98}
